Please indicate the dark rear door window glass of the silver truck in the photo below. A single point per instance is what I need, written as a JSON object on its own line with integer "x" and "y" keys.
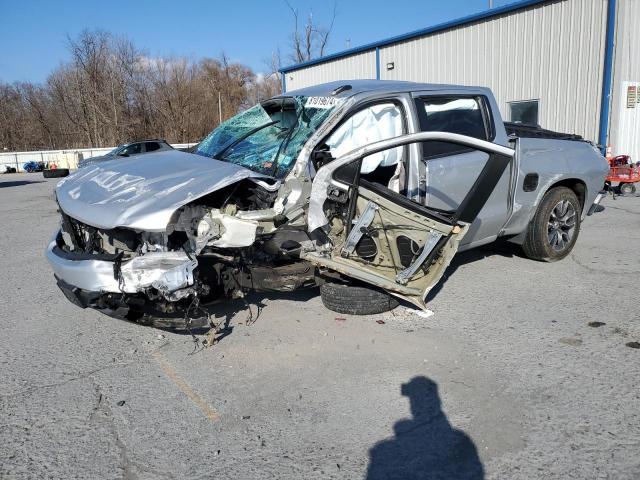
{"x": 465, "y": 116}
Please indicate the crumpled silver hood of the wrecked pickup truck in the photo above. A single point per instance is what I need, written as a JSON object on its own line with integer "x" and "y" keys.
{"x": 145, "y": 191}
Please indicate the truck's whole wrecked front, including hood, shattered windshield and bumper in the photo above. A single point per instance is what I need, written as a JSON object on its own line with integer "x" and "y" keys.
{"x": 154, "y": 238}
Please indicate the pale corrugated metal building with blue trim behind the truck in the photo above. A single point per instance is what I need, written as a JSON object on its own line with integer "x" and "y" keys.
{"x": 572, "y": 56}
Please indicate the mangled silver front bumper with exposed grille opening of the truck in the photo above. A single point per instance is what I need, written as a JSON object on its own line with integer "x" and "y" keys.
{"x": 124, "y": 273}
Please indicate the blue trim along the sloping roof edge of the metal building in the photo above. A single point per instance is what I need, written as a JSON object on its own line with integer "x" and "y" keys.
{"x": 419, "y": 33}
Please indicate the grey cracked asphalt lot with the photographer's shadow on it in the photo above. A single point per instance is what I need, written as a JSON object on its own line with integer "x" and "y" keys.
{"x": 525, "y": 370}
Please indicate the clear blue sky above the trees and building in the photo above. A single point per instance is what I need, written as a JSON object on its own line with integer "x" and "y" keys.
{"x": 33, "y": 33}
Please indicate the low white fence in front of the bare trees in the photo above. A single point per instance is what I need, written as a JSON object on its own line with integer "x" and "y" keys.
{"x": 62, "y": 158}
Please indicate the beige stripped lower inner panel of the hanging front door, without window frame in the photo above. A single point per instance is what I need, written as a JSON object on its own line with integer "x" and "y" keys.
{"x": 385, "y": 242}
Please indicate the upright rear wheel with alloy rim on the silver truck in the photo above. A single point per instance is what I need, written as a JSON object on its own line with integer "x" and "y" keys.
{"x": 550, "y": 236}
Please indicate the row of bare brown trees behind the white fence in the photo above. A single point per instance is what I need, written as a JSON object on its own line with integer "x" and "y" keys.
{"x": 110, "y": 92}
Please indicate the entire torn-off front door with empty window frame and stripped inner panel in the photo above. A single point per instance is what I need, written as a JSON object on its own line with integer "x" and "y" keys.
{"x": 381, "y": 237}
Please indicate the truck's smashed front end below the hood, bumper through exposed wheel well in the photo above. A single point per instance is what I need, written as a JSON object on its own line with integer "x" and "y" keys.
{"x": 217, "y": 248}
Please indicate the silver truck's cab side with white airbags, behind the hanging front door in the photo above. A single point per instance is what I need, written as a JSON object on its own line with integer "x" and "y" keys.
{"x": 434, "y": 174}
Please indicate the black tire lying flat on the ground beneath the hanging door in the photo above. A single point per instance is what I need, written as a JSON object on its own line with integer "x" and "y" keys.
{"x": 355, "y": 299}
